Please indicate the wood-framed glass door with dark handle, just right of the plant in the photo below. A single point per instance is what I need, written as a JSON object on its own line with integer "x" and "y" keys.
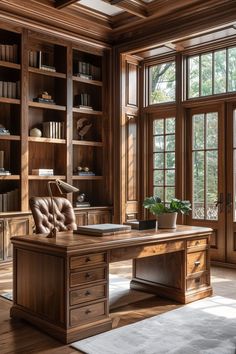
{"x": 206, "y": 173}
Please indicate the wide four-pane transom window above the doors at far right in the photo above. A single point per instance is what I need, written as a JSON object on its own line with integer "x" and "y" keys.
{"x": 211, "y": 73}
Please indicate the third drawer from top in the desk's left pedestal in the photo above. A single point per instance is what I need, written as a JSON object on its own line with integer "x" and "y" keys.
{"x": 87, "y": 294}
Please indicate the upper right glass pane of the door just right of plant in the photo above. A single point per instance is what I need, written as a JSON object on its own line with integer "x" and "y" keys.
{"x": 212, "y": 130}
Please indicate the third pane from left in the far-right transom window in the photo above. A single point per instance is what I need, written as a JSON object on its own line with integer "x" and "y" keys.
{"x": 220, "y": 71}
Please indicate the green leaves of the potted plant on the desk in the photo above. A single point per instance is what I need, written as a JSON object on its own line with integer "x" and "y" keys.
{"x": 157, "y": 206}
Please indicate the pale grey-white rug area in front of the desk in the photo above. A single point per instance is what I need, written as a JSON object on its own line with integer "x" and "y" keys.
{"x": 206, "y": 326}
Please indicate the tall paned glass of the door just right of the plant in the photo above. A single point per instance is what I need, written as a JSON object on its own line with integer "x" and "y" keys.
{"x": 205, "y": 165}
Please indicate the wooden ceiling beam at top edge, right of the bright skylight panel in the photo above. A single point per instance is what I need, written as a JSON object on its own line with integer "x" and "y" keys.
{"x": 135, "y": 7}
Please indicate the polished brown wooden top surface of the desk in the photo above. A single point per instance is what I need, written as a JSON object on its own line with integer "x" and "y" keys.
{"x": 67, "y": 241}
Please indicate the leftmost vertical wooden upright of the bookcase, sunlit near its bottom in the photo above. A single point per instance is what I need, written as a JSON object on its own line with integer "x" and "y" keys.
{"x": 24, "y": 122}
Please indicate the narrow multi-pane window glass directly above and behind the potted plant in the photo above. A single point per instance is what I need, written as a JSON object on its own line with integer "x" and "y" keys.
{"x": 164, "y": 158}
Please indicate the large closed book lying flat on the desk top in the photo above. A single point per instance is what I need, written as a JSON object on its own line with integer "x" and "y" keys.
{"x": 102, "y": 229}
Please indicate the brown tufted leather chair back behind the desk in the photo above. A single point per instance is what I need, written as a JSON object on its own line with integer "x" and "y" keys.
{"x": 41, "y": 208}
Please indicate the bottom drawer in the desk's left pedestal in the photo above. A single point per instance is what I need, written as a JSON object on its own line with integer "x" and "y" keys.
{"x": 87, "y": 313}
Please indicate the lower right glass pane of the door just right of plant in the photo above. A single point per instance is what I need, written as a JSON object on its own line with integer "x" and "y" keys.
{"x": 211, "y": 184}
